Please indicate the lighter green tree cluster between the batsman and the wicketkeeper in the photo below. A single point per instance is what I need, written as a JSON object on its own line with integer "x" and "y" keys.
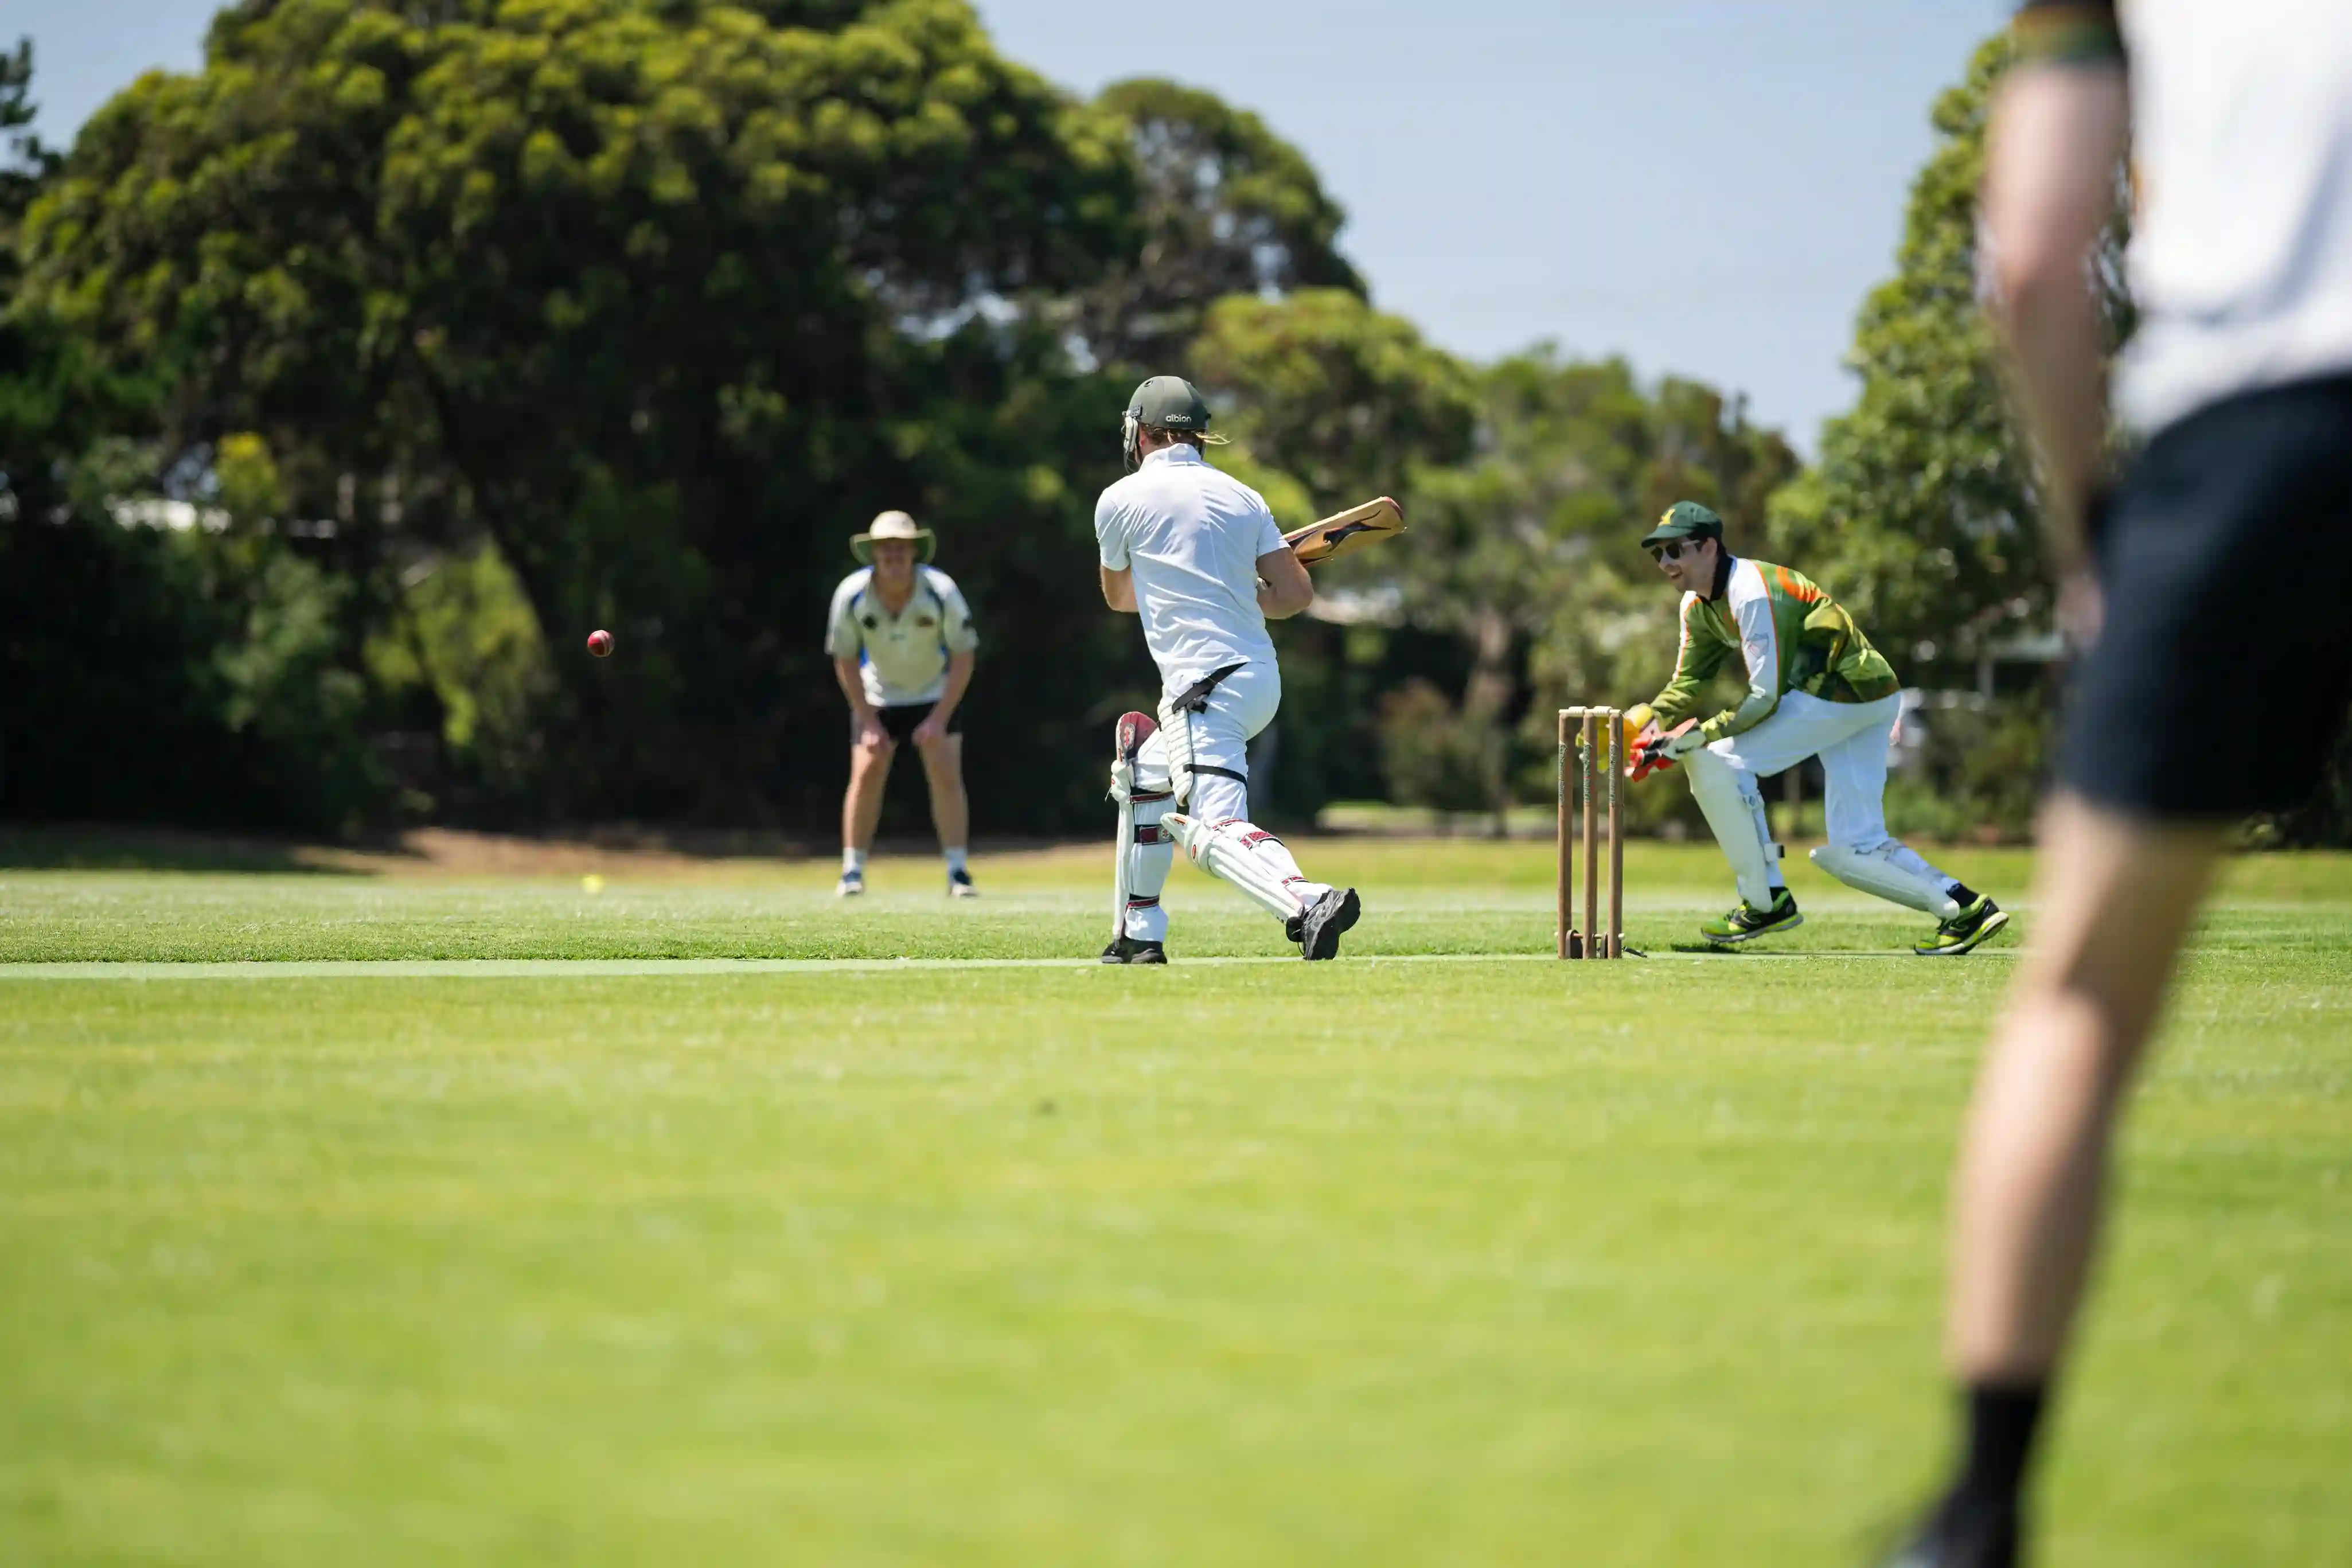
{"x": 1523, "y": 485}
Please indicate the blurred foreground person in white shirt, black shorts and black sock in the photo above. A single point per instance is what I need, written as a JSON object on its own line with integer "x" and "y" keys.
{"x": 2240, "y": 384}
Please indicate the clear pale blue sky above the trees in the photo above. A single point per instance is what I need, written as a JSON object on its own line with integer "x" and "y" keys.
{"x": 1704, "y": 187}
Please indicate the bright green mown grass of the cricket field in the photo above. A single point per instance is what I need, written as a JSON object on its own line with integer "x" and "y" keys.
{"x": 328, "y": 1242}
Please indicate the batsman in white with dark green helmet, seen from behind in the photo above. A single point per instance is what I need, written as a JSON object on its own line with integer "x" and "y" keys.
{"x": 1198, "y": 556}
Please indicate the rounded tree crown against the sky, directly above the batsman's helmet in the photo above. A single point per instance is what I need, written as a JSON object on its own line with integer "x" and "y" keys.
{"x": 1224, "y": 208}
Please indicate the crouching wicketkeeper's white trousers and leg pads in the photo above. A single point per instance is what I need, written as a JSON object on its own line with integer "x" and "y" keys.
{"x": 1852, "y": 742}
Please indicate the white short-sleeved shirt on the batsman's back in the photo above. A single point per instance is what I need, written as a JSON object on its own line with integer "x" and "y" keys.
{"x": 1194, "y": 540}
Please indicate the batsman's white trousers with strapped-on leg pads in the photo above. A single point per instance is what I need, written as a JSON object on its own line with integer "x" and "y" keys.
{"x": 1172, "y": 760}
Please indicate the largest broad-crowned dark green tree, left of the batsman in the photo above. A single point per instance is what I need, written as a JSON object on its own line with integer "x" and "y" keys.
{"x": 657, "y": 300}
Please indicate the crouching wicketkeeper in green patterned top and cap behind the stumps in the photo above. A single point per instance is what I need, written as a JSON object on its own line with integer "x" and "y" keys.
{"x": 1815, "y": 690}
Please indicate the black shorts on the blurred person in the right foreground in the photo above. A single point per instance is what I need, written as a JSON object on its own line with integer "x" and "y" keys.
{"x": 2224, "y": 666}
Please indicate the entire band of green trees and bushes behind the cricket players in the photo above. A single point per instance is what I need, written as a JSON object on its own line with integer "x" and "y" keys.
{"x": 446, "y": 335}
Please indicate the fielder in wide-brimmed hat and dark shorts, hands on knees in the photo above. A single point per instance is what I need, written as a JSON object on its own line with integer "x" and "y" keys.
{"x": 902, "y": 650}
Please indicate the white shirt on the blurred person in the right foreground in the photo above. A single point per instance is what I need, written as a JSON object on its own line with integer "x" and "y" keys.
{"x": 2243, "y": 243}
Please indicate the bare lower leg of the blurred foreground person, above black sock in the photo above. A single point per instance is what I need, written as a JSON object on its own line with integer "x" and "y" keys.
{"x": 2116, "y": 904}
